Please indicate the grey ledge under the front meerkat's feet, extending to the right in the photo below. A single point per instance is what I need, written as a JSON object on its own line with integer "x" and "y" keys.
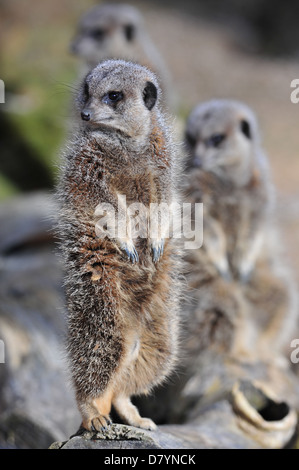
{"x": 216, "y": 428}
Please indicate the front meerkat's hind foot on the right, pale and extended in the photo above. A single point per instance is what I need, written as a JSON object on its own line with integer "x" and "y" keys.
{"x": 129, "y": 413}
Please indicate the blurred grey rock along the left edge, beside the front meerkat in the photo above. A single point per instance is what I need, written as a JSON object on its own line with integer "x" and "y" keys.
{"x": 36, "y": 404}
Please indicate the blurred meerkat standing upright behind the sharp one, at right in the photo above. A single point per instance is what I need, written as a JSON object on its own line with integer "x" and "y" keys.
{"x": 242, "y": 296}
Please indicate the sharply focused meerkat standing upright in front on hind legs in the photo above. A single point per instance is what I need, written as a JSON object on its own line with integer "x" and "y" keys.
{"x": 121, "y": 291}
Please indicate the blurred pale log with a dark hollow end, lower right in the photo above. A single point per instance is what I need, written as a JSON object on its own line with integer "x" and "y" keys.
{"x": 204, "y": 394}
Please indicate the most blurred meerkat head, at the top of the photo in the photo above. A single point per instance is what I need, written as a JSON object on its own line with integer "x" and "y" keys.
{"x": 108, "y": 31}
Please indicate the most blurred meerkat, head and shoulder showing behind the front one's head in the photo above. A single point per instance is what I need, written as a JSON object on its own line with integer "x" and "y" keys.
{"x": 117, "y": 31}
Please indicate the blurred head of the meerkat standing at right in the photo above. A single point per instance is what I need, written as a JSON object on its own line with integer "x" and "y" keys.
{"x": 222, "y": 137}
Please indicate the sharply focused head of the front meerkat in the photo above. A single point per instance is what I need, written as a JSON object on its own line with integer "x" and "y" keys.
{"x": 119, "y": 97}
